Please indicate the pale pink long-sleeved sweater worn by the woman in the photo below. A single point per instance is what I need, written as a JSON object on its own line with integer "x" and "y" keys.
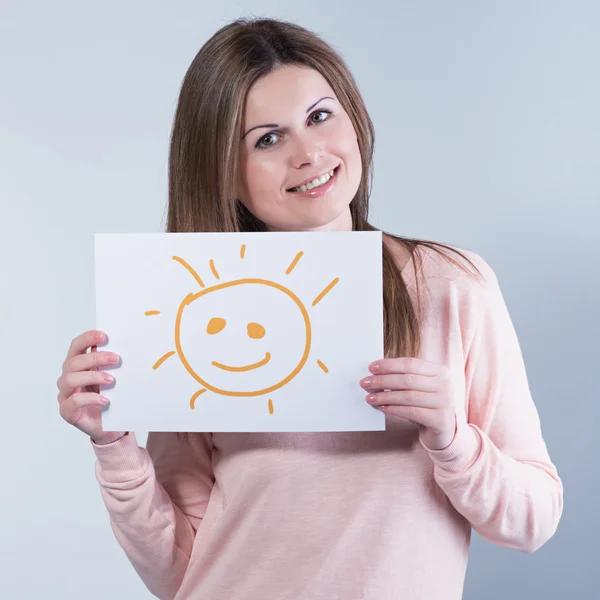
{"x": 359, "y": 515}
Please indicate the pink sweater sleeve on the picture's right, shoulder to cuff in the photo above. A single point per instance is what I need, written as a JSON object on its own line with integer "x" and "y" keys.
{"x": 497, "y": 472}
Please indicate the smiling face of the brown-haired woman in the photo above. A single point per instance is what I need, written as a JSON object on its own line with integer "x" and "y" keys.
{"x": 295, "y": 131}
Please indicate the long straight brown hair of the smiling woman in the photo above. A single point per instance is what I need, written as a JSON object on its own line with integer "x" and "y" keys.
{"x": 204, "y": 149}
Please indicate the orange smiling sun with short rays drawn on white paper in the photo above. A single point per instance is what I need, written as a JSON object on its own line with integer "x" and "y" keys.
{"x": 259, "y": 377}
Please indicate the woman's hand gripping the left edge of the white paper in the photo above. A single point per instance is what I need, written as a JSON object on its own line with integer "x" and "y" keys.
{"x": 78, "y": 386}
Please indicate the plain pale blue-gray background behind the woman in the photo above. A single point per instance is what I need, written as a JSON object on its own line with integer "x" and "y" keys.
{"x": 488, "y": 137}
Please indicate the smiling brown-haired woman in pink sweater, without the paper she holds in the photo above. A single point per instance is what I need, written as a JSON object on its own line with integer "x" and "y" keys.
{"x": 271, "y": 133}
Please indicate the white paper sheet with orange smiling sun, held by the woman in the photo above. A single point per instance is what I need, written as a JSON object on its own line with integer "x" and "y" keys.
{"x": 240, "y": 331}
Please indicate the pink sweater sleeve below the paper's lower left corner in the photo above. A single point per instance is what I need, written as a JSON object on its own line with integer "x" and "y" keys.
{"x": 156, "y": 497}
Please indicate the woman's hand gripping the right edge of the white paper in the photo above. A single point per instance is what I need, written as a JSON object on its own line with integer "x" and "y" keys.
{"x": 419, "y": 391}
